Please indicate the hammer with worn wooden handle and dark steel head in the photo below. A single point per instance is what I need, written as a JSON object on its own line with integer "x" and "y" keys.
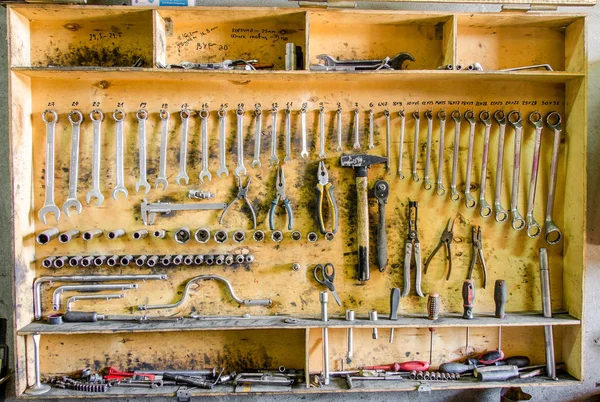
{"x": 361, "y": 163}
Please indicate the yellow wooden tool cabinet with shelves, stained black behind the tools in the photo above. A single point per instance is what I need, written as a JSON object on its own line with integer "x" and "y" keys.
{"x": 75, "y": 57}
